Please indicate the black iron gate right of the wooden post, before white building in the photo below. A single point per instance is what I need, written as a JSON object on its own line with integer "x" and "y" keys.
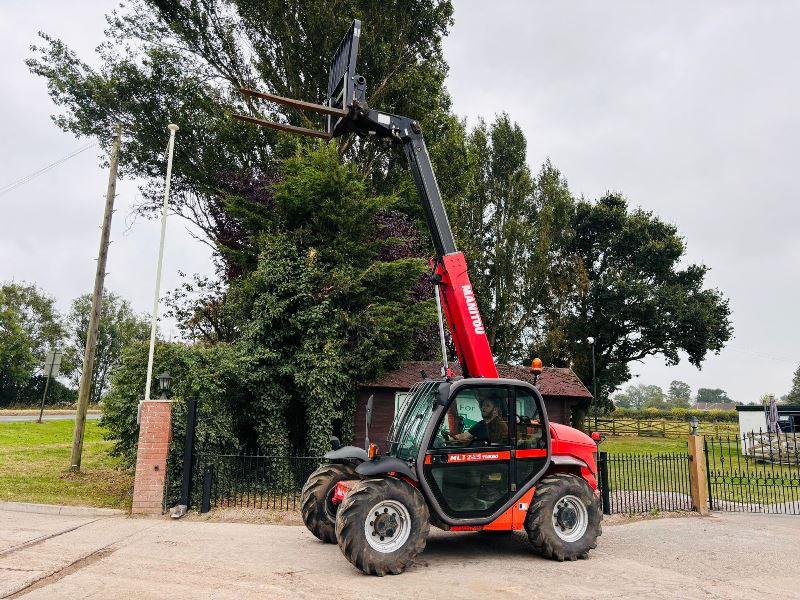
{"x": 754, "y": 472}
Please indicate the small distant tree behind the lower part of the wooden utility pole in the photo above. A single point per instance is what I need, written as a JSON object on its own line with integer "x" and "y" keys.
{"x": 119, "y": 327}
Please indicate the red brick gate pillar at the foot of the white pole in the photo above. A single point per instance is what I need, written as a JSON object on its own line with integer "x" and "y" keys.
{"x": 155, "y": 431}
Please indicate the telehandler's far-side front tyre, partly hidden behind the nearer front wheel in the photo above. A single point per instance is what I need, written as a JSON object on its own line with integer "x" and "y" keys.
{"x": 319, "y": 514}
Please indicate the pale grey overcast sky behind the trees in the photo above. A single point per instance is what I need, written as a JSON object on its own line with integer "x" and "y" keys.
{"x": 689, "y": 109}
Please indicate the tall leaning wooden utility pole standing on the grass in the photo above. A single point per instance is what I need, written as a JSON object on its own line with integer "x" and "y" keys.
{"x": 97, "y": 302}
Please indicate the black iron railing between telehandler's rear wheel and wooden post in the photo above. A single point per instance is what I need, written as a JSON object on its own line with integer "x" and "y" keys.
{"x": 641, "y": 483}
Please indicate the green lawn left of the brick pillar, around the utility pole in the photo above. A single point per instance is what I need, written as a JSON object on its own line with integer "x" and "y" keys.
{"x": 34, "y": 459}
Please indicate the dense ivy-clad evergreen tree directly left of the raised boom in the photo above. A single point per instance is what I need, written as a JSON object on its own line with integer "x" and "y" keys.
{"x": 338, "y": 294}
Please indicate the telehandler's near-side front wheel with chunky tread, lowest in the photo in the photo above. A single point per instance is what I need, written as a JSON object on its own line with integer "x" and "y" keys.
{"x": 355, "y": 513}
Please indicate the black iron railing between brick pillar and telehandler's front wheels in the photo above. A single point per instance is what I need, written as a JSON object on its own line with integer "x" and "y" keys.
{"x": 250, "y": 480}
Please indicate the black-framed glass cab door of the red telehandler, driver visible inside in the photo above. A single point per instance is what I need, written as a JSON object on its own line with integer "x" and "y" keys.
{"x": 468, "y": 465}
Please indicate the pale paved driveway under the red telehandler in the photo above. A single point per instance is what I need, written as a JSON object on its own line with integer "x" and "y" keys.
{"x": 724, "y": 556}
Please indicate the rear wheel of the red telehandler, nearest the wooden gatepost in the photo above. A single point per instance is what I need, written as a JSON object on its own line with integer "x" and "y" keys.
{"x": 539, "y": 521}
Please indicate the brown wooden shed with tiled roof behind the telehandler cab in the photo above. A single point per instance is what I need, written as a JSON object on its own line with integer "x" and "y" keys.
{"x": 560, "y": 388}
